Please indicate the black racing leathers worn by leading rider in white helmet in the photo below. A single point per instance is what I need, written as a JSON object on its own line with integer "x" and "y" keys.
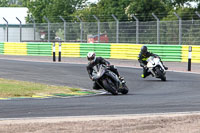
{"x": 99, "y": 60}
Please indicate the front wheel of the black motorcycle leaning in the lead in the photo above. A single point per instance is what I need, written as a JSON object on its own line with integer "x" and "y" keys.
{"x": 110, "y": 86}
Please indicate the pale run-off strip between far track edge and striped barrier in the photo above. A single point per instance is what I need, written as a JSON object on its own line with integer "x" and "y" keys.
{"x": 173, "y": 66}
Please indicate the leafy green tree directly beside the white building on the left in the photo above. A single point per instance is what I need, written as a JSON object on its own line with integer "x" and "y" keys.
{"x": 52, "y": 9}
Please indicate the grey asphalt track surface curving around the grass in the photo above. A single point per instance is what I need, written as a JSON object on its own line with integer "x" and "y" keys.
{"x": 180, "y": 93}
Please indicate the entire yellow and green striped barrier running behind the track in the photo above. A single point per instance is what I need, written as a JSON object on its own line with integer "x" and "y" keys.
{"x": 177, "y": 53}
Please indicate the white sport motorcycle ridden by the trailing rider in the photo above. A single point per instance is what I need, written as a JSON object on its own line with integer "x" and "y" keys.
{"x": 156, "y": 68}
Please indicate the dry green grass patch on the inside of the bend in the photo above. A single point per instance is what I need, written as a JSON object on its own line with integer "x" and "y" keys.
{"x": 14, "y": 88}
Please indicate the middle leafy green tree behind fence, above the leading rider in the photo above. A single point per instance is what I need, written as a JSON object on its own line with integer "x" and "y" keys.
{"x": 104, "y": 10}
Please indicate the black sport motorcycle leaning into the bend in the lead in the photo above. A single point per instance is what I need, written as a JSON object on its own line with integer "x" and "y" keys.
{"x": 108, "y": 80}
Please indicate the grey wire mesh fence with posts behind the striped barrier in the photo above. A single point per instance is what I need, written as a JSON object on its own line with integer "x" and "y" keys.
{"x": 150, "y": 32}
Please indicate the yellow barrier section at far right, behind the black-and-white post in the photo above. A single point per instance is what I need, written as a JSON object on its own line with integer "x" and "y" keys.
{"x": 195, "y": 53}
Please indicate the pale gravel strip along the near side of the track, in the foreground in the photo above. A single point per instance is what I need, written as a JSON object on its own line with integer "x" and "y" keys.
{"x": 139, "y": 123}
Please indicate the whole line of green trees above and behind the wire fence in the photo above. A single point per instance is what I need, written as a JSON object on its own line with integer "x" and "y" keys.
{"x": 103, "y": 9}
